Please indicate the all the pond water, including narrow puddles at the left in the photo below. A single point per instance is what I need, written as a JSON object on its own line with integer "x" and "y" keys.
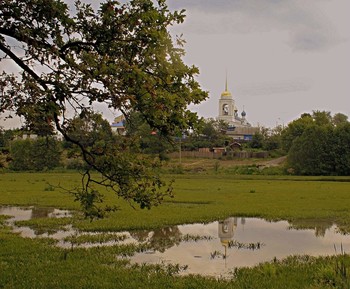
{"x": 213, "y": 249}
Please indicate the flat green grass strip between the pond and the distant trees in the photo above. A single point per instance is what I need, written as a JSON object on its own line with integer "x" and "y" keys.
{"x": 198, "y": 198}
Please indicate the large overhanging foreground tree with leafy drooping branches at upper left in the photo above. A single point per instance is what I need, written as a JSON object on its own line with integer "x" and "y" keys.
{"x": 121, "y": 55}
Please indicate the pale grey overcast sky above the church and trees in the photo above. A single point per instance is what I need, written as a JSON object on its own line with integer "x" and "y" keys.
{"x": 282, "y": 57}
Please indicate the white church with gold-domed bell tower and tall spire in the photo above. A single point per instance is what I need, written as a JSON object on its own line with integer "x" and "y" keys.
{"x": 237, "y": 126}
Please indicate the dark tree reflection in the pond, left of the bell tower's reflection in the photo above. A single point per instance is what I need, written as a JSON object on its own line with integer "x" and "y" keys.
{"x": 159, "y": 240}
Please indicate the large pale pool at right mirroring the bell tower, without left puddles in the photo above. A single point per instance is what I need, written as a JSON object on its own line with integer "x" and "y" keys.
{"x": 240, "y": 242}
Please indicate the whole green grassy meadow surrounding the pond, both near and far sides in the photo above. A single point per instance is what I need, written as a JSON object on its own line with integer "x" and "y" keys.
{"x": 307, "y": 202}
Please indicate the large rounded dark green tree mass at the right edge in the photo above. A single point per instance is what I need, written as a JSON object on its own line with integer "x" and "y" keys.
{"x": 318, "y": 145}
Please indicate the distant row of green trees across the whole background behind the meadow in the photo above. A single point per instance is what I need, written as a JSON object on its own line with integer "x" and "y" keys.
{"x": 315, "y": 144}
